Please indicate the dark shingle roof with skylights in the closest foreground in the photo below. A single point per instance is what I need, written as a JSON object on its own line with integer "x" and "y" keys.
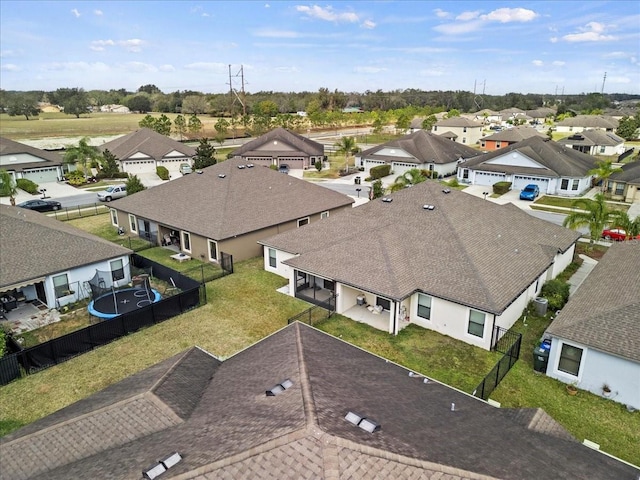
{"x": 298, "y": 404}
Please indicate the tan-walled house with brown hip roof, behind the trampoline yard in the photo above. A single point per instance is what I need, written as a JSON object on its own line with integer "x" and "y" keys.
{"x": 226, "y": 207}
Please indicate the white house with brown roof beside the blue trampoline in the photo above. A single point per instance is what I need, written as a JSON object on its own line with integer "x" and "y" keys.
{"x": 47, "y": 261}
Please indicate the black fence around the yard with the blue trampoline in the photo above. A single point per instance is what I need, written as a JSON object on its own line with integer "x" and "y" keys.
{"x": 71, "y": 345}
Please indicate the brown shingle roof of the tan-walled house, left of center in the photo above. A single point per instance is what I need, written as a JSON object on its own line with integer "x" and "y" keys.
{"x": 245, "y": 200}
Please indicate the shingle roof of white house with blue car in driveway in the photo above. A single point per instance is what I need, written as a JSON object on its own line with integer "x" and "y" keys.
{"x": 557, "y": 159}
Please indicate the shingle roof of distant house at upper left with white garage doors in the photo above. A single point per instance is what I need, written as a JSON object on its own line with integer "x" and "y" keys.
{"x": 148, "y": 142}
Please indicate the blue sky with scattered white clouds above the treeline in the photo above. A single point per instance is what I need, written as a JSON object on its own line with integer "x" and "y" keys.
{"x": 544, "y": 47}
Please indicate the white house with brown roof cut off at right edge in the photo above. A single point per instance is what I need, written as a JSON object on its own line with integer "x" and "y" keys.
{"x": 595, "y": 339}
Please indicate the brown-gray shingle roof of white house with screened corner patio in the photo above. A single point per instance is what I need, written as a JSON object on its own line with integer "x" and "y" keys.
{"x": 466, "y": 250}
